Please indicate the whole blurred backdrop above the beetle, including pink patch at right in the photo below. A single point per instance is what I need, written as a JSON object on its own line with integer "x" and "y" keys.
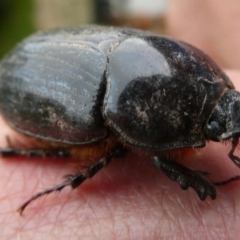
{"x": 210, "y": 25}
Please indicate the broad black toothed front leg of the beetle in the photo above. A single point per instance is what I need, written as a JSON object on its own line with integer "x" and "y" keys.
{"x": 186, "y": 177}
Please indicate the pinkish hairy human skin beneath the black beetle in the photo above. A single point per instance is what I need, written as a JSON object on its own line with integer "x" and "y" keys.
{"x": 129, "y": 199}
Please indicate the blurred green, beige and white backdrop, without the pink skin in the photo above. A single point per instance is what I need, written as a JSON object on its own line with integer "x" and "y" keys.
{"x": 18, "y": 19}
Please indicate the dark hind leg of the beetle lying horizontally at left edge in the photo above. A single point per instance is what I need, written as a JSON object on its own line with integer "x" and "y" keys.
{"x": 16, "y": 152}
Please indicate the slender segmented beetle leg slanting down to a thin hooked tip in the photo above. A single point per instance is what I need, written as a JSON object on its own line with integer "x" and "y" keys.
{"x": 77, "y": 179}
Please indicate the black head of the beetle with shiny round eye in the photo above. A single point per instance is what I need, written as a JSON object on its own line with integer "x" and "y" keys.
{"x": 224, "y": 122}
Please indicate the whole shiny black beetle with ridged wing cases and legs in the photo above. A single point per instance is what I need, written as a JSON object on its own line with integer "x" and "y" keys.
{"x": 97, "y": 92}
